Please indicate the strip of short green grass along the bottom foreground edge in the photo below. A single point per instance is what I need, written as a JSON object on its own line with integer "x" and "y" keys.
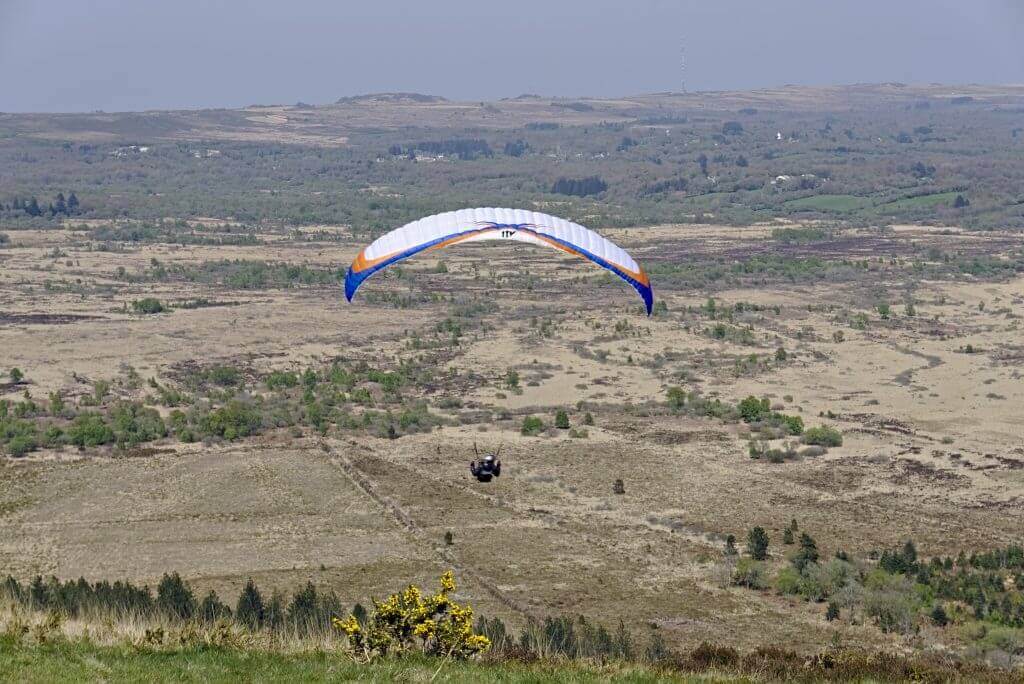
{"x": 80, "y": 662}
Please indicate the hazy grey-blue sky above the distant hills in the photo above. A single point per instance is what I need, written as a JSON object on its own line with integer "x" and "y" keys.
{"x": 75, "y": 56}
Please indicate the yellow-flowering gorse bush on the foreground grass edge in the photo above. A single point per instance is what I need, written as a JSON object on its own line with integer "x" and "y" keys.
{"x": 435, "y": 624}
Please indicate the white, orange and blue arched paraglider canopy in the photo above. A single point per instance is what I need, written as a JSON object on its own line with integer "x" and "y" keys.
{"x": 522, "y": 226}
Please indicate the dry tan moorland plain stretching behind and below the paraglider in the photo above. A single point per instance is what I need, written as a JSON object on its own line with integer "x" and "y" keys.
{"x": 932, "y": 445}
